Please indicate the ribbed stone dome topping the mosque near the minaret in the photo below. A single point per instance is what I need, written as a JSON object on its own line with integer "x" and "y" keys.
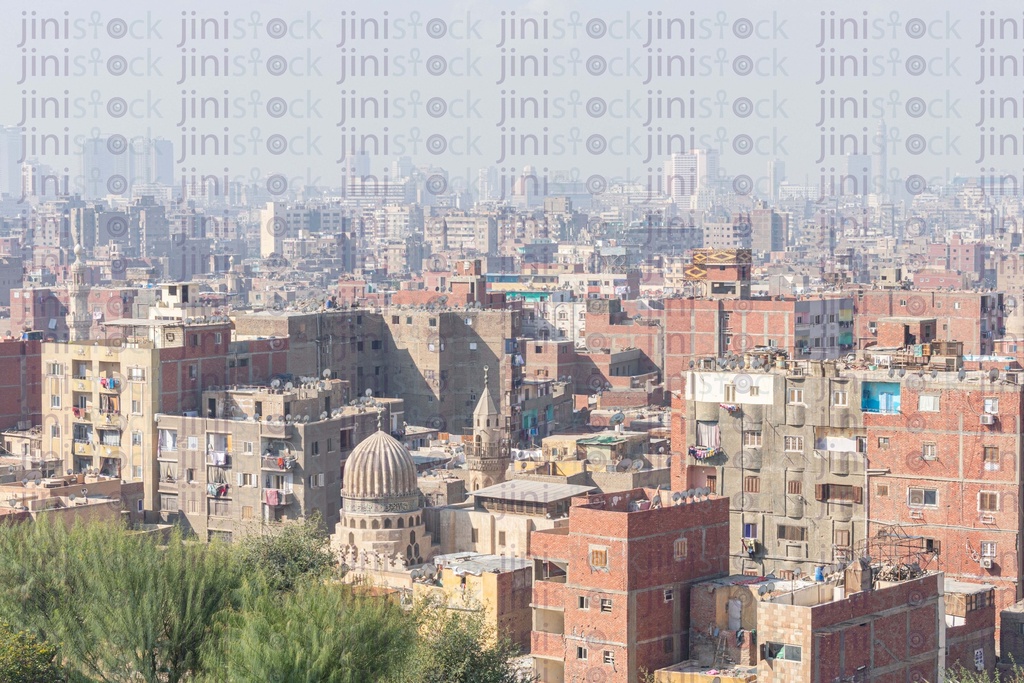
{"x": 380, "y": 467}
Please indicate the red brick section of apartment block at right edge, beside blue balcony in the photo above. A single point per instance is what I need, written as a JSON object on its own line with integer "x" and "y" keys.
{"x": 944, "y": 463}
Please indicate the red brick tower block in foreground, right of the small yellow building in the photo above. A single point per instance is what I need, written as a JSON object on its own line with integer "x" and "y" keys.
{"x": 613, "y": 588}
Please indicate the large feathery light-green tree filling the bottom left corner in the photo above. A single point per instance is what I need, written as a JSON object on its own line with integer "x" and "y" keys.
{"x": 119, "y": 607}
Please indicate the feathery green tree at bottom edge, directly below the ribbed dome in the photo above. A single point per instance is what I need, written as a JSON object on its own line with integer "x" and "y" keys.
{"x": 319, "y": 633}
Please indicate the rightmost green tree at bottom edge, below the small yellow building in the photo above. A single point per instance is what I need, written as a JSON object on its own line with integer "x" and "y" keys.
{"x": 457, "y": 647}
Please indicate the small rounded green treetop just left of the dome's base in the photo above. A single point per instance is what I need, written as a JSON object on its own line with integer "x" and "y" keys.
{"x": 285, "y": 553}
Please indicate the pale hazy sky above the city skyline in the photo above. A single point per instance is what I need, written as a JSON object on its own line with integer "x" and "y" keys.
{"x": 747, "y": 79}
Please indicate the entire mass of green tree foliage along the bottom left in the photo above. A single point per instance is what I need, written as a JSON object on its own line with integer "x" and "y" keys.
{"x": 104, "y": 605}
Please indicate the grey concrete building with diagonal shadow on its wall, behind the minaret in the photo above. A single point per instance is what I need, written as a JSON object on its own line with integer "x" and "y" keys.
{"x": 434, "y": 358}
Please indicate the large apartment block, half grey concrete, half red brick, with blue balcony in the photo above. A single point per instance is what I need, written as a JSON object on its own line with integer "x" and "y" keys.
{"x": 818, "y": 458}
